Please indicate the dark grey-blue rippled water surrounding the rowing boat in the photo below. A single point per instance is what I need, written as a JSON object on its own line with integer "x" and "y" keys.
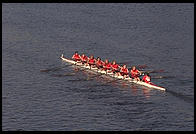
{"x": 35, "y": 35}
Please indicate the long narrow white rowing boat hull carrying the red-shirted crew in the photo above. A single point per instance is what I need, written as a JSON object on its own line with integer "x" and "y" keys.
{"x": 96, "y": 70}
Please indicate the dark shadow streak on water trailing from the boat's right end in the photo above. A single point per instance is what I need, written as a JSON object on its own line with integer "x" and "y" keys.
{"x": 181, "y": 96}
